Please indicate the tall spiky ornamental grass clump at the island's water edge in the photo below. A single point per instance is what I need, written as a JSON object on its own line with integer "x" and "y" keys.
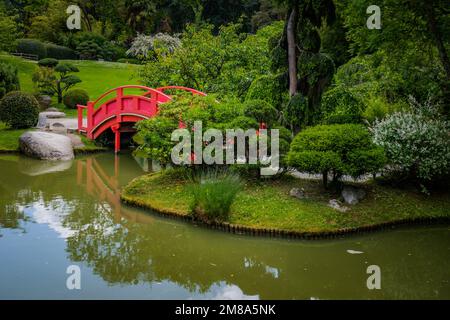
{"x": 213, "y": 194}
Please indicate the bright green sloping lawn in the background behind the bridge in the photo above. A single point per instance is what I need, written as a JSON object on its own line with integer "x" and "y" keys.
{"x": 98, "y": 77}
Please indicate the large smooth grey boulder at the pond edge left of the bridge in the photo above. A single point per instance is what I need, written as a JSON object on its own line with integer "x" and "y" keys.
{"x": 46, "y": 146}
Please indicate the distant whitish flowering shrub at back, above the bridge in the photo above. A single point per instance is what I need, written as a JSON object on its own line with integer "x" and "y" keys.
{"x": 148, "y": 47}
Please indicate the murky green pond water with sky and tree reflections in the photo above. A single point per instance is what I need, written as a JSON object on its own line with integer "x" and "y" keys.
{"x": 54, "y": 215}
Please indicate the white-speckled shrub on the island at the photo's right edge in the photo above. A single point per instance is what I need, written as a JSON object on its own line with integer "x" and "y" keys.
{"x": 417, "y": 142}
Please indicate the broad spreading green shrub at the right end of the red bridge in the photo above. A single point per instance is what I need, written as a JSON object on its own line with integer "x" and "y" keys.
{"x": 154, "y": 135}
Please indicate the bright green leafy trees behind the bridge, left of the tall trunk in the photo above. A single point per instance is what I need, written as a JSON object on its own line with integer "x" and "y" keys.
{"x": 225, "y": 63}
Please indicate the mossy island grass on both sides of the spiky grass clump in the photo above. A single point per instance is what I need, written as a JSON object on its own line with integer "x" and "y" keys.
{"x": 268, "y": 204}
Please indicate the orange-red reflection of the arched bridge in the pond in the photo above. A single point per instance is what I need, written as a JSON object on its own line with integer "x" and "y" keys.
{"x": 106, "y": 188}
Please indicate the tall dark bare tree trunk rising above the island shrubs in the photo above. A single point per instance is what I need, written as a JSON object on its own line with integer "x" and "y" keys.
{"x": 292, "y": 51}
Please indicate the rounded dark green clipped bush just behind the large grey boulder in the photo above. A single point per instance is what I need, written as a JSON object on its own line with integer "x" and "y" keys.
{"x": 19, "y": 110}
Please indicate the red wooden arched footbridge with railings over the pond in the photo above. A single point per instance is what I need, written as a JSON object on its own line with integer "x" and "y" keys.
{"x": 119, "y": 111}
